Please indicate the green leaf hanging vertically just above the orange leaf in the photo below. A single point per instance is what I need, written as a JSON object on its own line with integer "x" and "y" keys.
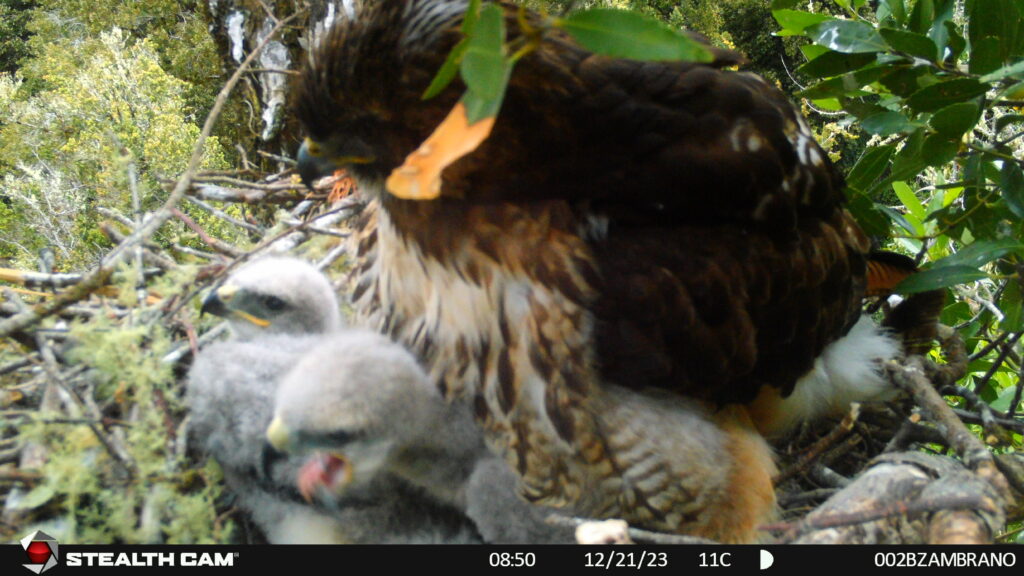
{"x": 485, "y": 67}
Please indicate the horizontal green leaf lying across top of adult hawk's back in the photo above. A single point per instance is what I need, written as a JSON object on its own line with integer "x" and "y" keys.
{"x": 631, "y": 35}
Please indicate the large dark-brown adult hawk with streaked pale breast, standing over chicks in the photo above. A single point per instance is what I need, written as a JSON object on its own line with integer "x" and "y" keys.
{"x": 637, "y": 248}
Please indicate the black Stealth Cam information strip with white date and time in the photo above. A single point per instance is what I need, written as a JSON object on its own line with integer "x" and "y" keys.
{"x": 575, "y": 560}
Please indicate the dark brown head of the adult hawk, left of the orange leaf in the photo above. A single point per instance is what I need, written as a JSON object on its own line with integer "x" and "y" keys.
{"x": 360, "y": 96}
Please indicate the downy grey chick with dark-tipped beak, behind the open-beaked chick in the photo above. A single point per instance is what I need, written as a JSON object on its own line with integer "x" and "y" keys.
{"x": 279, "y": 309}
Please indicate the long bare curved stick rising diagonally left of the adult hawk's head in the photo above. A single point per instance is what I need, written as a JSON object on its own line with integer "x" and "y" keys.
{"x": 98, "y": 278}
